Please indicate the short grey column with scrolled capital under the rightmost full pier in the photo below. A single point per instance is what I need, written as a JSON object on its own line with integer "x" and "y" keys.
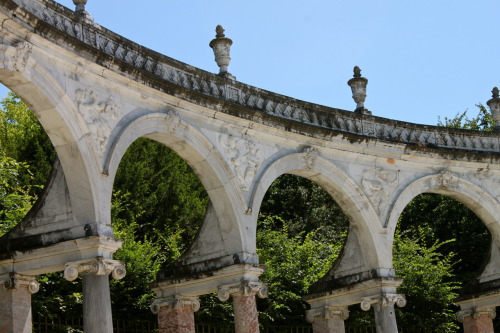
{"x": 383, "y": 306}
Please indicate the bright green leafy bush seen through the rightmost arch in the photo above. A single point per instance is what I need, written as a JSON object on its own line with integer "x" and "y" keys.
{"x": 427, "y": 283}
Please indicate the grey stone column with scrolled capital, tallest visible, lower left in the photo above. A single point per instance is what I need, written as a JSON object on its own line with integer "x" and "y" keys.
{"x": 96, "y": 297}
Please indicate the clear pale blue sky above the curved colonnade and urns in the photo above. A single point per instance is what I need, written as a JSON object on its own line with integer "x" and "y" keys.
{"x": 423, "y": 59}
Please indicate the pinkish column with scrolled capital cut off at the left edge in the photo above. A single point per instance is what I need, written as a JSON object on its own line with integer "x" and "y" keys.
{"x": 15, "y": 303}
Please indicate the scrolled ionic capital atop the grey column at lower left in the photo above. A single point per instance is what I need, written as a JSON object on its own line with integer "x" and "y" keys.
{"x": 97, "y": 266}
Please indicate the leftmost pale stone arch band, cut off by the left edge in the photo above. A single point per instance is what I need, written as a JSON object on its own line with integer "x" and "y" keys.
{"x": 56, "y": 112}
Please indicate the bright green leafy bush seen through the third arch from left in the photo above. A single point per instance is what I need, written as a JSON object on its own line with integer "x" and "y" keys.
{"x": 294, "y": 262}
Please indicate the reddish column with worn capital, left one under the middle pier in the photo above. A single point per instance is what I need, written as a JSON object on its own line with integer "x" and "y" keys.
{"x": 176, "y": 313}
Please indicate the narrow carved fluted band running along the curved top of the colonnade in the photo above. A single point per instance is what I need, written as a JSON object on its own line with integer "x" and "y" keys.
{"x": 280, "y": 106}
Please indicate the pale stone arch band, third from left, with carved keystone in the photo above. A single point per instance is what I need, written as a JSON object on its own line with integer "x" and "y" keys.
{"x": 351, "y": 199}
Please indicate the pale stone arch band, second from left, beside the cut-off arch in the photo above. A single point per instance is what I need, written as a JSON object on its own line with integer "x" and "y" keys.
{"x": 168, "y": 128}
